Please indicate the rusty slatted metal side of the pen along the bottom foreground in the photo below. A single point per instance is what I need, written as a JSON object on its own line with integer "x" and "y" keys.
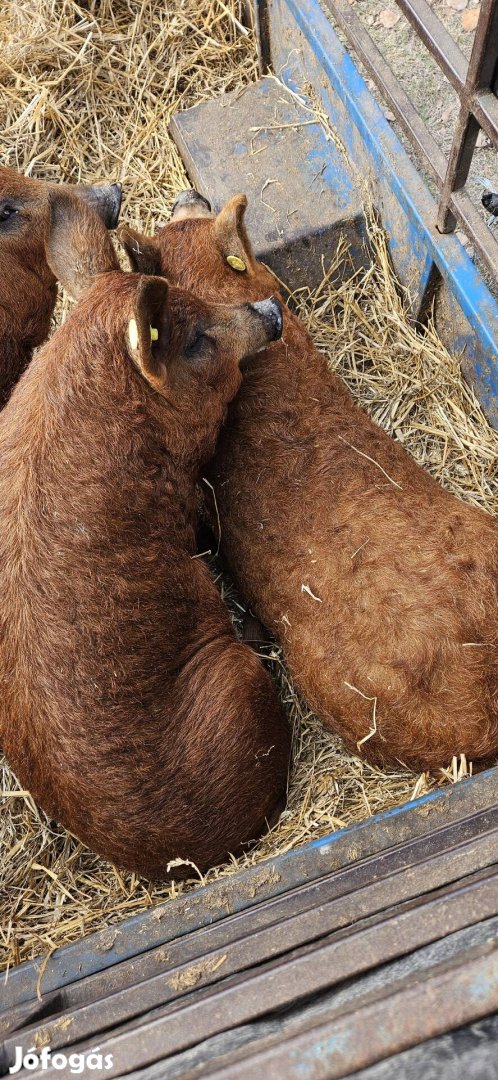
{"x": 380, "y": 942}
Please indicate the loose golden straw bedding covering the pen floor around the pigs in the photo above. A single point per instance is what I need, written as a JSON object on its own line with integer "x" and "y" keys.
{"x": 87, "y": 92}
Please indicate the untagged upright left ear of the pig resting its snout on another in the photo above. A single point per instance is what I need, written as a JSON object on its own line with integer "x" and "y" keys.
{"x": 77, "y": 246}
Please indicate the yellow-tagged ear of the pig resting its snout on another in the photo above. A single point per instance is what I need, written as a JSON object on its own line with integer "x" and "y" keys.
{"x": 149, "y": 331}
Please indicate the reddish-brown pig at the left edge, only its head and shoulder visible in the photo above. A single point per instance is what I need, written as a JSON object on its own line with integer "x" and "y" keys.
{"x": 28, "y": 282}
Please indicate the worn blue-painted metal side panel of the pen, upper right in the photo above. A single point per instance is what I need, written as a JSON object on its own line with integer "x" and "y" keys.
{"x": 305, "y": 49}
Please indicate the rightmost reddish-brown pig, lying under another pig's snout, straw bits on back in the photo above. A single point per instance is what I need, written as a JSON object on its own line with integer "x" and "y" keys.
{"x": 381, "y": 587}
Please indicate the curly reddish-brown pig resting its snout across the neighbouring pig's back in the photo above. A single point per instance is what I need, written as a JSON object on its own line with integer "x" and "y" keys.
{"x": 129, "y": 708}
